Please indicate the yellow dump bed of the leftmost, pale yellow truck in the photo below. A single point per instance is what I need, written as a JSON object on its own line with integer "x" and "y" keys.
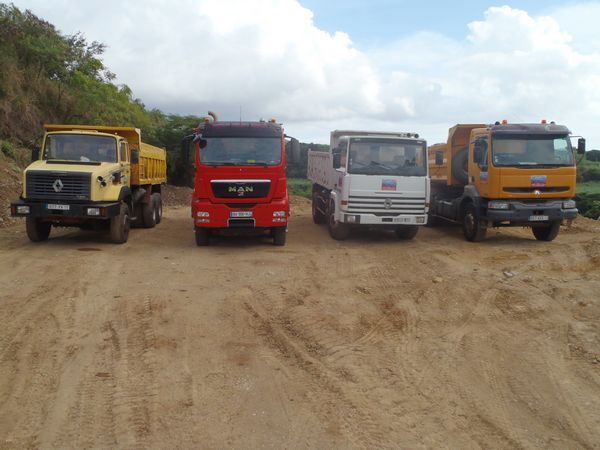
{"x": 152, "y": 163}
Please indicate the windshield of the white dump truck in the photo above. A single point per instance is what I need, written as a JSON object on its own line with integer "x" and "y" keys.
{"x": 387, "y": 157}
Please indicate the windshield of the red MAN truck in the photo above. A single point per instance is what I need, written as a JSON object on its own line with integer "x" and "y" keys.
{"x": 240, "y": 151}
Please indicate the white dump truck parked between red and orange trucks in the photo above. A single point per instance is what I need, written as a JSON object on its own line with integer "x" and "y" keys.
{"x": 372, "y": 179}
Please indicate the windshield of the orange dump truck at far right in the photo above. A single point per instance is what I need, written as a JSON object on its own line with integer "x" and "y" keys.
{"x": 516, "y": 151}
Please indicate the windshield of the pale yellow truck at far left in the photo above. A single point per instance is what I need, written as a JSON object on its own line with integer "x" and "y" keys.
{"x": 84, "y": 148}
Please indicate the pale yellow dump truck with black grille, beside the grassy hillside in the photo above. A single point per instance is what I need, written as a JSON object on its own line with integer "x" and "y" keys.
{"x": 92, "y": 177}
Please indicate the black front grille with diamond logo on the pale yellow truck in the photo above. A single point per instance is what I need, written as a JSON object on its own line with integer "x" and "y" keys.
{"x": 48, "y": 185}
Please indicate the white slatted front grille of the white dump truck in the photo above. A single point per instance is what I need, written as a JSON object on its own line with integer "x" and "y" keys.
{"x": 386, "y": 206}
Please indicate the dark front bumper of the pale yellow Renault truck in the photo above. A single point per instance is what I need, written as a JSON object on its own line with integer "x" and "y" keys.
{"x": 44, "y": 210}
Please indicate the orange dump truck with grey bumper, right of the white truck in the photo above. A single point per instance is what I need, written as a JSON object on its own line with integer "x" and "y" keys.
{"x": 504, "y": 175}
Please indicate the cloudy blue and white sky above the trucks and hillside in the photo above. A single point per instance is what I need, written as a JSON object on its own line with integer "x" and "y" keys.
{"x": 318, "y": 65}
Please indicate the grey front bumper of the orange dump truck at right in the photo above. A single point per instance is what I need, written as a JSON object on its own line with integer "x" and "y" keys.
{"x": 520, "y": 212}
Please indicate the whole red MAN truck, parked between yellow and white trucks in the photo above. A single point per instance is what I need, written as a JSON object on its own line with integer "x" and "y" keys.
{"x": 240, "y": 184}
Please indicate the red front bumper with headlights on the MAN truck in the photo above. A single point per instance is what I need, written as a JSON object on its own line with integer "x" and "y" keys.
{"x": 259, "y": 215}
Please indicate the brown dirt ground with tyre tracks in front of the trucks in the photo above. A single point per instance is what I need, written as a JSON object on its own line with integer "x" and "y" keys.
{"x": 371, "y": 343}
